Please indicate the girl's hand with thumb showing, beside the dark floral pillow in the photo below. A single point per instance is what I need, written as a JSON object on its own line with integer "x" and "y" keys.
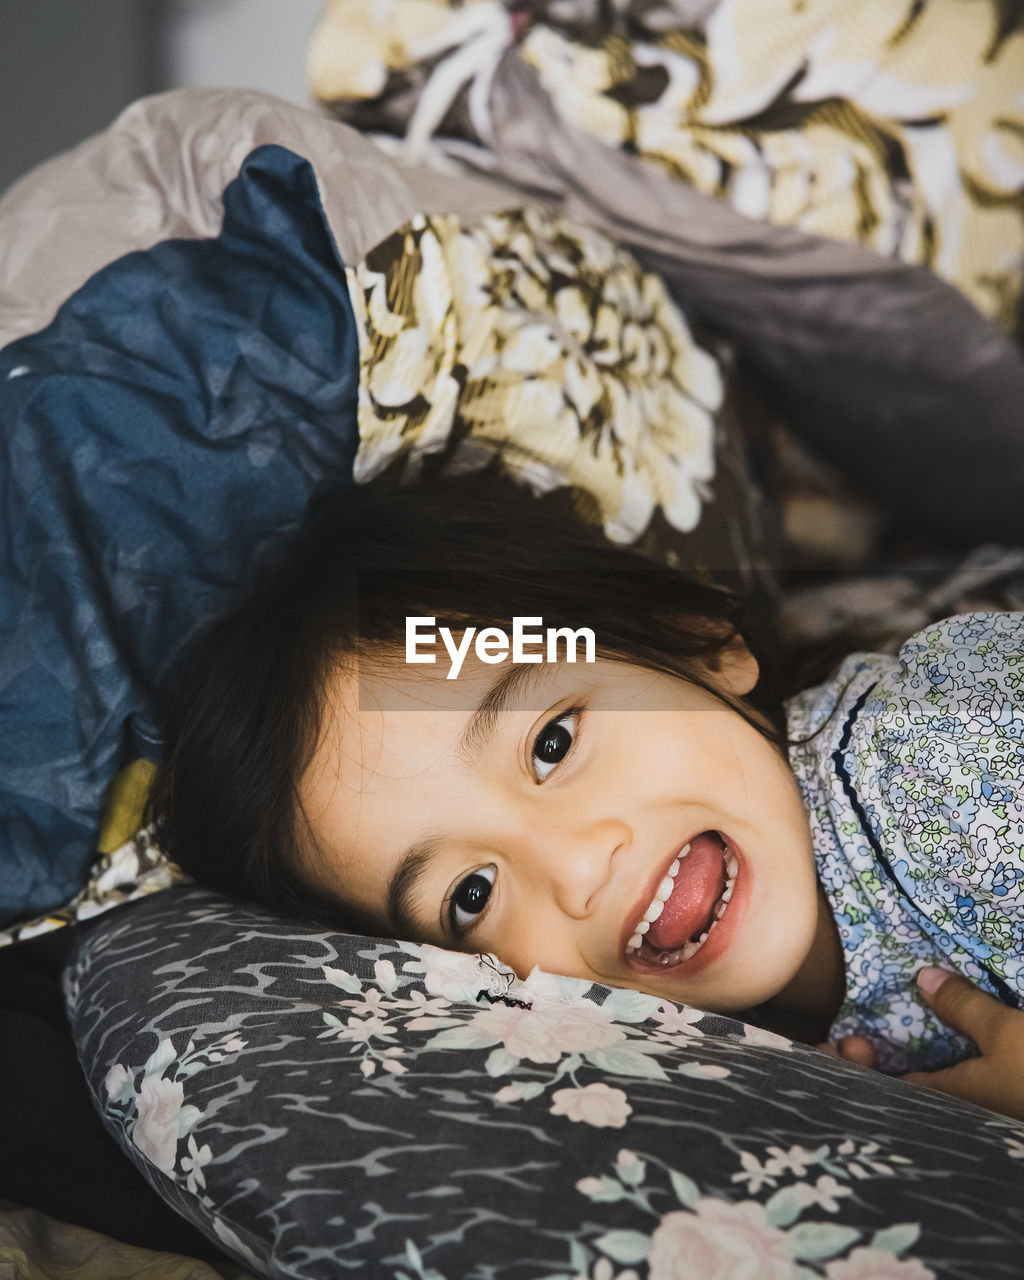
{"x": 995, "y": 1080}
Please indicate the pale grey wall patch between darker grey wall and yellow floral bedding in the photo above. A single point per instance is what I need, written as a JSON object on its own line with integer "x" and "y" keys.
{"x": 244, "y": 44}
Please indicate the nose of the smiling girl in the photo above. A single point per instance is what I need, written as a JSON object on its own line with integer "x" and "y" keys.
{"x": 572, "y": 860}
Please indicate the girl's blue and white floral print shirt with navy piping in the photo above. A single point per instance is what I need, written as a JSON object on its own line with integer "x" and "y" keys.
{"x": 913, "y": 774}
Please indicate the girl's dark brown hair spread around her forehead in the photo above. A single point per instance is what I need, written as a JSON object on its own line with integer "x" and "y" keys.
{"x": 245, "y": 721}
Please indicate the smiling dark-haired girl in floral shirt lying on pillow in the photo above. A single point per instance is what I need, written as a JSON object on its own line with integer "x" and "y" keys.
{"x": 362, "y": 742}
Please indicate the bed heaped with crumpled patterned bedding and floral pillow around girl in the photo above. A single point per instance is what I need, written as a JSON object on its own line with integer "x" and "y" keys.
{"x": 222, "y": 308}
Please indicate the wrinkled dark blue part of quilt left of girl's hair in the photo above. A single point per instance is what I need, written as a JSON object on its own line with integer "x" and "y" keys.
{"x": 181, "y": 410}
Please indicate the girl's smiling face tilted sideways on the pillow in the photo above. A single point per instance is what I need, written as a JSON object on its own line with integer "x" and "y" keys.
{"x": 545, "y": 813}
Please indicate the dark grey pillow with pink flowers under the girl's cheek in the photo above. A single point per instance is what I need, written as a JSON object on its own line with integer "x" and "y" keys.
{"x": 322, "y": 1104}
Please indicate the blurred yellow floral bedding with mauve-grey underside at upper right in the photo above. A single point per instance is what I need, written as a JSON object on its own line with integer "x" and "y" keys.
{"x": 839, "y": 188}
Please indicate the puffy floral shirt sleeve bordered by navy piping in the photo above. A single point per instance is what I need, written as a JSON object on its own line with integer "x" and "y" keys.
{"x": 941, "y": 779}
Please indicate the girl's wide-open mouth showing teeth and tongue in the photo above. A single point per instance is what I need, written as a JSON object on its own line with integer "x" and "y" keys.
{"x": 689, "y": 904}
